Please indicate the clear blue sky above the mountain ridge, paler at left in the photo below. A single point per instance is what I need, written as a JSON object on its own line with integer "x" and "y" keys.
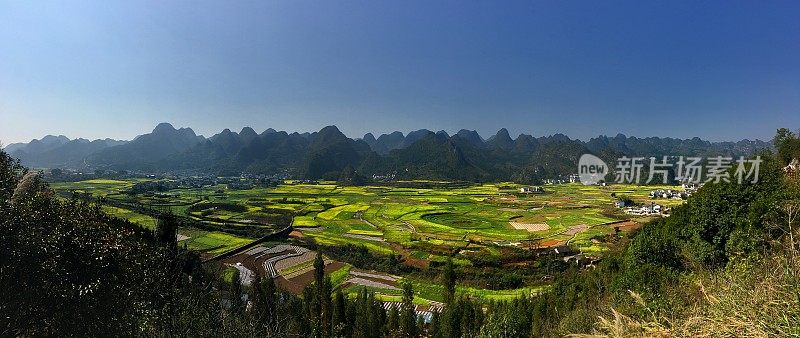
{"x": 721, "y": 70}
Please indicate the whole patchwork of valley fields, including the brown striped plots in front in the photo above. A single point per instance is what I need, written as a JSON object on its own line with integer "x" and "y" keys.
{"x": 423, "y": 226}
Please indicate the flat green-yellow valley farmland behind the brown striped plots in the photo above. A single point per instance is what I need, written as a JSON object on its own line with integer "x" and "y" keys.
{"x": 415, "y": 222}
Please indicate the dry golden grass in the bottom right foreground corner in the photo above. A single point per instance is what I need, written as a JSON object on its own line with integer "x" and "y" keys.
{"x": 755, "y": 301}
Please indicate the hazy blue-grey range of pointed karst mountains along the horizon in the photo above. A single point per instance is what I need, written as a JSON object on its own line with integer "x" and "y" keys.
{"x": 420, "y": 154}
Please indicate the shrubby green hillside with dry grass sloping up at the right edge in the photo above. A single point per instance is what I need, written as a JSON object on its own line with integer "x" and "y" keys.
{"x": 724, "y": 264}
